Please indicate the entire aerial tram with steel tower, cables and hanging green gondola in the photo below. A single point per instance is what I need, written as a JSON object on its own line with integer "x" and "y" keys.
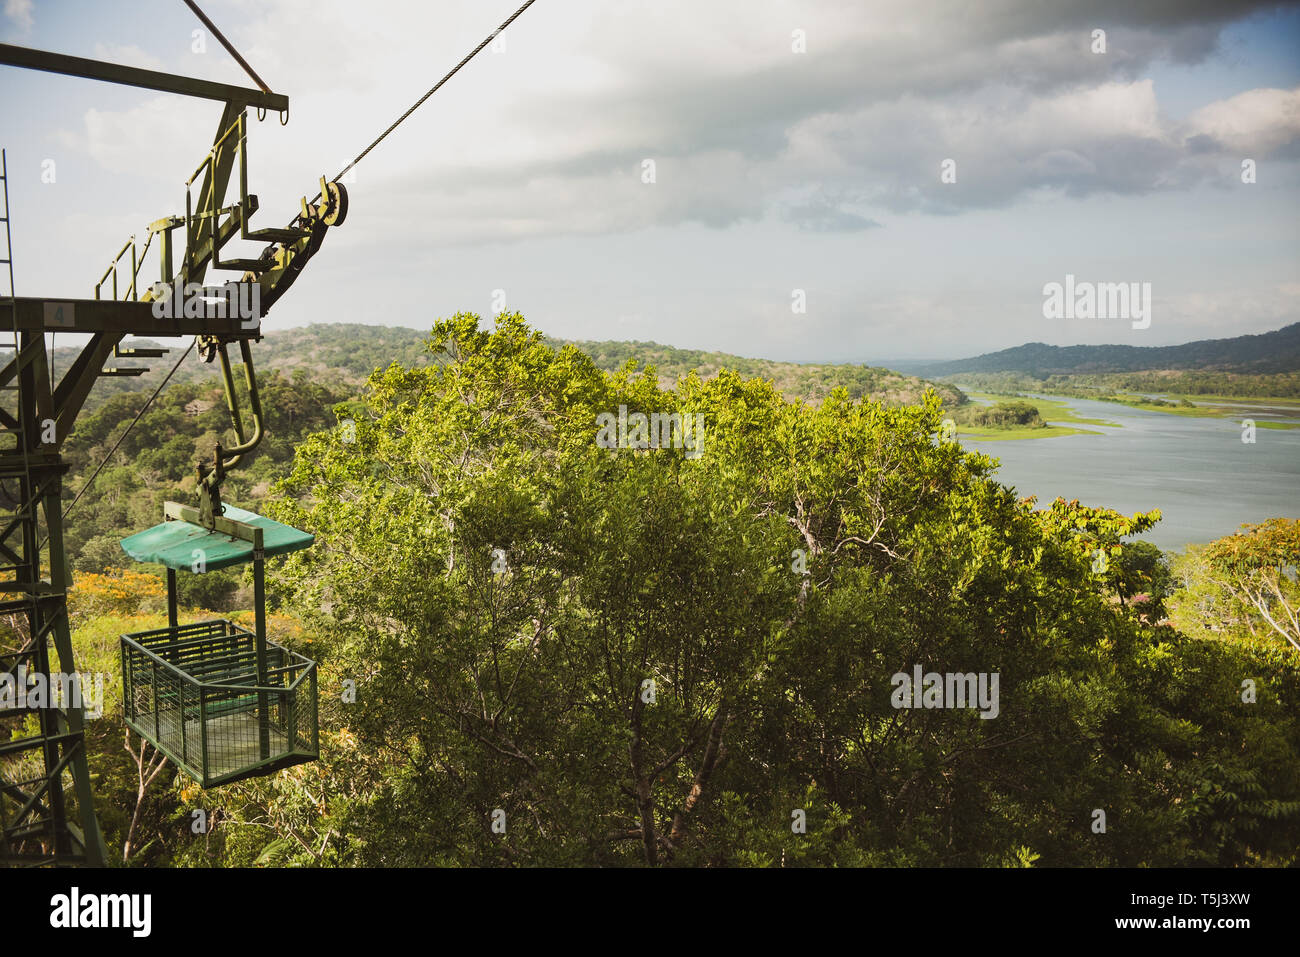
{"x": 223, "y": 703}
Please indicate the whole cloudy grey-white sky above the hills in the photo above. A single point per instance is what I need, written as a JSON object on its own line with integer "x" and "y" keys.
{"x": 775, "y": 170}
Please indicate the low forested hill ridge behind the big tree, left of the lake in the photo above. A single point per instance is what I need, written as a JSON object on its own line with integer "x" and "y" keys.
{"x": 348, "y": 353}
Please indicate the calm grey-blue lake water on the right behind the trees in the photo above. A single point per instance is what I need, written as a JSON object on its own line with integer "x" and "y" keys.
{"x": 1199, "y": 473}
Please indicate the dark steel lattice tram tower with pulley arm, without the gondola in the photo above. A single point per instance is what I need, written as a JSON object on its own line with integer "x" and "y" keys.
{"x": 46, "y": 804}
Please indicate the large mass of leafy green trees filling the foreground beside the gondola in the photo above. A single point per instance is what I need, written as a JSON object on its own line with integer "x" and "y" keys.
{"x": 501, "y": 590}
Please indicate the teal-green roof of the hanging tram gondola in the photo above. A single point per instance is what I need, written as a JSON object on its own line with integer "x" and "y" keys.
{"x": 174, "y": 543}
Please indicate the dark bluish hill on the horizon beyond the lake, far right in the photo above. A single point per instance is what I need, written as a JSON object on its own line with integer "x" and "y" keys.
{"x": 1268, "y": 353}
